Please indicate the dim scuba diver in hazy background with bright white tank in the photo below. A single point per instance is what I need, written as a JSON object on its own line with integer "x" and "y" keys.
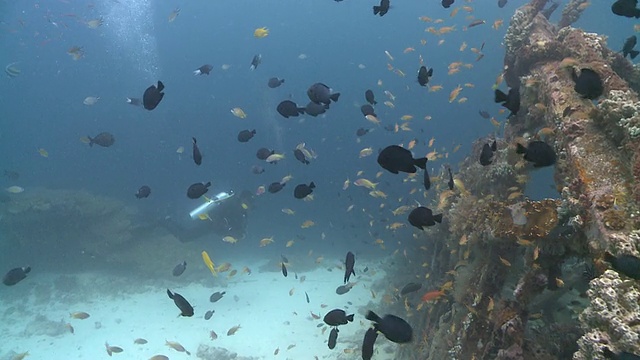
{"x": 223, "y": 214}
